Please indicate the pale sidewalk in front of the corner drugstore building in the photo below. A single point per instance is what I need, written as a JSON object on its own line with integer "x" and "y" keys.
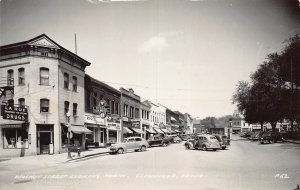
{"x": 47, "y": 160}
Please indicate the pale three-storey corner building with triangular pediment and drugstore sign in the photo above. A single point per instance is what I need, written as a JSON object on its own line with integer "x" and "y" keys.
{"x": 48, "y": 81}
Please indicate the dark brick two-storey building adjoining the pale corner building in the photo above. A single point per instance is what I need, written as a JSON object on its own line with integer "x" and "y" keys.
{"x": 106, "y": 129}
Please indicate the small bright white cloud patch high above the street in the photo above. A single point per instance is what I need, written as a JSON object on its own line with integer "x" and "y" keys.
{"x": 155, "y": 43}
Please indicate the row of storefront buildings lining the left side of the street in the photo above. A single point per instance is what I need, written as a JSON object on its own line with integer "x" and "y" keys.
{"x": 64, "y": 107}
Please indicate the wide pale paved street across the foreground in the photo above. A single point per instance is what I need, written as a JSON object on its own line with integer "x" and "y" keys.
{"x": 246, "y": 165}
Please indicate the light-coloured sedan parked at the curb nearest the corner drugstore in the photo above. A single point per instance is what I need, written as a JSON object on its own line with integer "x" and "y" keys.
{"x": 129, "y": 144}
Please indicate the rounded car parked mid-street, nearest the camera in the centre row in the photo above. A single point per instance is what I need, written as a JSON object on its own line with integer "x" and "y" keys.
{"x": 203, "y": 142}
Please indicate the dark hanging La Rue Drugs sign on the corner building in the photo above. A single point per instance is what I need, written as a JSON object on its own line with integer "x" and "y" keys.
{"x": 14, "y": 113}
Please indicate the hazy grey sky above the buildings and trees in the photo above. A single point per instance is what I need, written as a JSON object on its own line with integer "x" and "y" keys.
{"x": 185, "y": 54}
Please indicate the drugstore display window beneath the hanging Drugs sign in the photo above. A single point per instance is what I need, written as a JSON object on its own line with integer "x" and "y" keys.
{"x": 15, "y": 138}
